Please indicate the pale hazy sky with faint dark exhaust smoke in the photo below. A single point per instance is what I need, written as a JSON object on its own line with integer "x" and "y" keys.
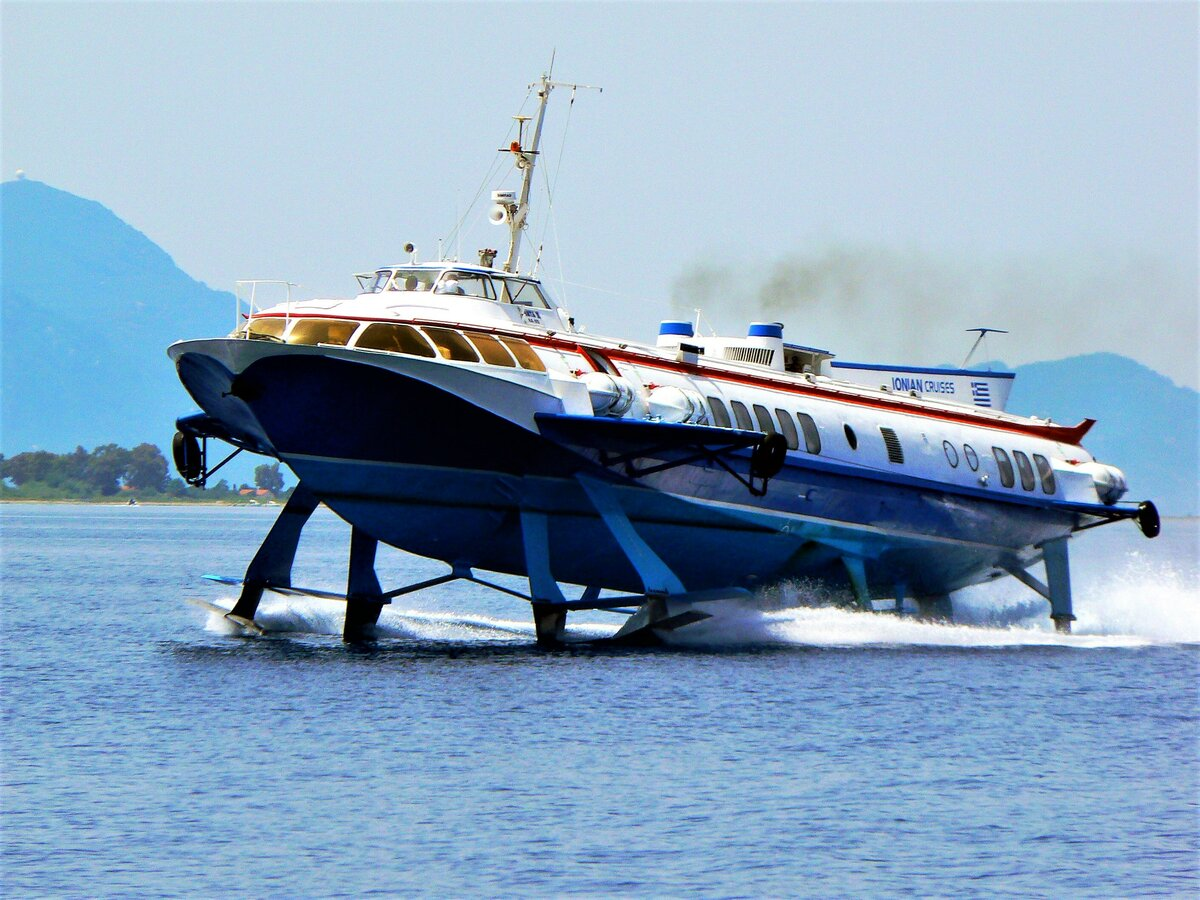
{"x": 878, "y": 177}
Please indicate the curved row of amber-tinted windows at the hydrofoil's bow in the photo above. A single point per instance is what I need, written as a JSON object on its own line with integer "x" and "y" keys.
{"x": 410, "y": 340}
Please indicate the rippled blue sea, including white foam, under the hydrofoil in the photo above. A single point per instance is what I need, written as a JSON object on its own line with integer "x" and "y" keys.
{"x": 794, "y": 749}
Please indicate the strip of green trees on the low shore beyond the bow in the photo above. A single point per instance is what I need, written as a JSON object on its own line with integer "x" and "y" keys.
{"x": 111, "y": 473}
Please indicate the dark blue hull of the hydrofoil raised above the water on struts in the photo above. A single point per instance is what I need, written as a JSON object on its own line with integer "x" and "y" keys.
{"x": 442, "y": 463}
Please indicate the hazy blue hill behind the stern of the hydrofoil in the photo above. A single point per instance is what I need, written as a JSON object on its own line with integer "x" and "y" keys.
{"x": 1147, "y": 425}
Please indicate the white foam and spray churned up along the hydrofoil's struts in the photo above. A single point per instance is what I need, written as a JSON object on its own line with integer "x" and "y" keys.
{"x": 1141, "y": 604}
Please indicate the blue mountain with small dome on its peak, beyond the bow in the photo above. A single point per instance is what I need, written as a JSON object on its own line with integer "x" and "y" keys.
{"x": 89, "y": 307}
